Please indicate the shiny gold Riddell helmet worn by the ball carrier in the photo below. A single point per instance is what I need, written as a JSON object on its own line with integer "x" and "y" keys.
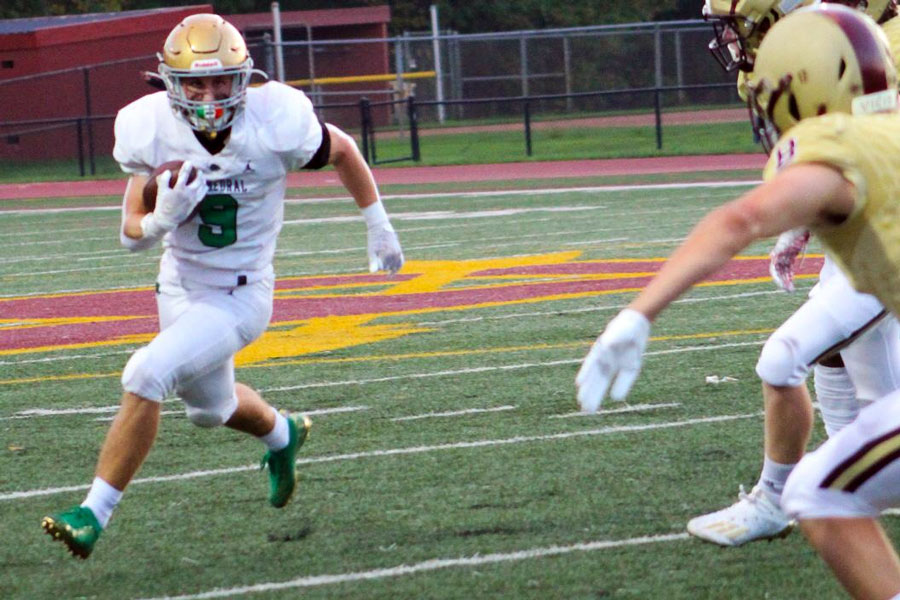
{"x": 205, "y": 45}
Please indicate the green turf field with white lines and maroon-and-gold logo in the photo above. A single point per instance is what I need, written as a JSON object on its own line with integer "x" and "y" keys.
{"x": 446, "y": 459}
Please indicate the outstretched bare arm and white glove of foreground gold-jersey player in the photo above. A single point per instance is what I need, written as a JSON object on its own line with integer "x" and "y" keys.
{"x": 801, "y": 195}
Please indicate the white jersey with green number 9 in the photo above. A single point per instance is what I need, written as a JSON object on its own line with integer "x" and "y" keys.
{"x": 231, "y": 237}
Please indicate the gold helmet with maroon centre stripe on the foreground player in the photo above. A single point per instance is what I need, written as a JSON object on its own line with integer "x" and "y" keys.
{"x": 843, "y": 65}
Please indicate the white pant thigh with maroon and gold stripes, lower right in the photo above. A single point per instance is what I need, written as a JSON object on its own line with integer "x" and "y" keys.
{"x": 856, "y": 473}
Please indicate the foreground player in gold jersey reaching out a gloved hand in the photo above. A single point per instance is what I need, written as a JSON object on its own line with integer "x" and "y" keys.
{"x": 827, "y": 108}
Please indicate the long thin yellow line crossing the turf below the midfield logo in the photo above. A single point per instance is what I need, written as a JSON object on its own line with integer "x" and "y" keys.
{"x": 409, "y": 356}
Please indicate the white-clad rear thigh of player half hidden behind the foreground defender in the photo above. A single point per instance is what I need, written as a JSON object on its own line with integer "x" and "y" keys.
{"x": 873, "y": 360}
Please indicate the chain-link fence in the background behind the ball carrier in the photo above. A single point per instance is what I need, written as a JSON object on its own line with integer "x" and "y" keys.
{"x": 563, "y": 73}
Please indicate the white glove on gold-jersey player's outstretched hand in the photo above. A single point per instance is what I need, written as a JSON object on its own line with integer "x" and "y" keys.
{"x": 617, "y": 353}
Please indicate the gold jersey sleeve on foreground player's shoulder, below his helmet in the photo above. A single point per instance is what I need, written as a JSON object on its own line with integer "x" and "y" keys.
{"x": 821, "y": 140}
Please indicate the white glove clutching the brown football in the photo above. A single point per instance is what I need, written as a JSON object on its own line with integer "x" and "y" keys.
{"x": 174, "y": 204}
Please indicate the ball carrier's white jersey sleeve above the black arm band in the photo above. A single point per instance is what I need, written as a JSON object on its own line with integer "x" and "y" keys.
{"x": 292, "y": 128}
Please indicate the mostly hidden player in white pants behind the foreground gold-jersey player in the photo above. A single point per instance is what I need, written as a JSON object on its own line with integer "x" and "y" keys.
{"x": 846, "y": 337}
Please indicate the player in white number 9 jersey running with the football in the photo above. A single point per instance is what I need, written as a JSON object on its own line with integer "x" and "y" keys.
{"x": 218, "y": 229}
